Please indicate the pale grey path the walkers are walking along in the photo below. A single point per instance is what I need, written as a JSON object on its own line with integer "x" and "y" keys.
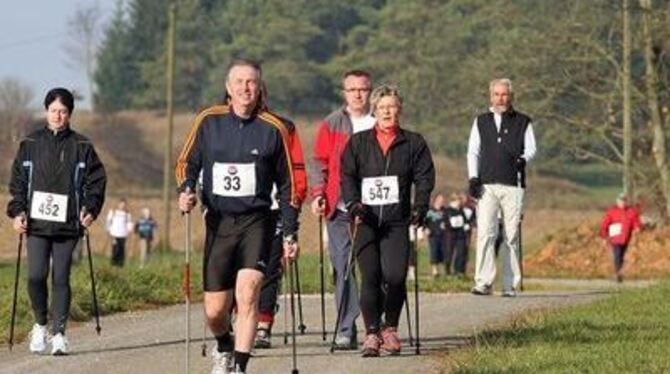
{"x": 153, "y": 341}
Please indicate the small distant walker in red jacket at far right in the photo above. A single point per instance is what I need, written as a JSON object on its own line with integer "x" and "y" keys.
{"x": 618, "y": 226}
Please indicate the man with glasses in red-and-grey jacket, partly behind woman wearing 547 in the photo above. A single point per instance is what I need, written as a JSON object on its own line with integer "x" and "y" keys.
{"x": 332, "y": 136}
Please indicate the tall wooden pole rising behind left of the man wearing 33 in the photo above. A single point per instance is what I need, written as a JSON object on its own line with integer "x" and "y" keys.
{"x": 167, "y": 165}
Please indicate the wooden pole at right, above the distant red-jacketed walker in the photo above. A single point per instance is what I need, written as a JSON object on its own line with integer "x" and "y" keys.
{"x": 627, "y": 122}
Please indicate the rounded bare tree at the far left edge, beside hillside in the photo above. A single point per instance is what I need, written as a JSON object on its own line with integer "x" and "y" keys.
{"x": 15, "y": 98}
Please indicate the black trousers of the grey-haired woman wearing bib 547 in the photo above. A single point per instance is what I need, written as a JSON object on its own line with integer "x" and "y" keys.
{"x": 383, "y": 256}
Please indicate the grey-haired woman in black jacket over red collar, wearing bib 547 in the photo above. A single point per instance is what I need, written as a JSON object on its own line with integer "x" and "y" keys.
{"x": 379, "y": 167}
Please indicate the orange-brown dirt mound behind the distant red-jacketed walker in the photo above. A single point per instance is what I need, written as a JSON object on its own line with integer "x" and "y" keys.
{"x": 579, "y": 251}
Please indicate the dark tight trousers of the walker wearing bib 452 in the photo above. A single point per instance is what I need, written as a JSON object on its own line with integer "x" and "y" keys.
{"x": 41, "y": 251}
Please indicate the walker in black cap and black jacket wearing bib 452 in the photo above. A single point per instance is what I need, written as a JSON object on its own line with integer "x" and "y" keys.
{"x": 58, "y": 188}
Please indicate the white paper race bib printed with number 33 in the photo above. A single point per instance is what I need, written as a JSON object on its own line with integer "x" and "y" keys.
{"x": 234, "y": 180}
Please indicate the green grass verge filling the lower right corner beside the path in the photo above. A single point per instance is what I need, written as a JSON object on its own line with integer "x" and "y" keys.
{"x": 626, "y": 333}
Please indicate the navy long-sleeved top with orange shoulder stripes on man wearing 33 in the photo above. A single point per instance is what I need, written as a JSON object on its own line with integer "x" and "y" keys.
{"x": 220, "y": 136}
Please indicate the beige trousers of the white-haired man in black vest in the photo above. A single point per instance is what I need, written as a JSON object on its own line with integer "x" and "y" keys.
{"x": 508, "y": 200}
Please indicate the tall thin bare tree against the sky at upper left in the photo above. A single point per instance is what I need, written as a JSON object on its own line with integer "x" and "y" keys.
{"x": 84, "y": 35}
